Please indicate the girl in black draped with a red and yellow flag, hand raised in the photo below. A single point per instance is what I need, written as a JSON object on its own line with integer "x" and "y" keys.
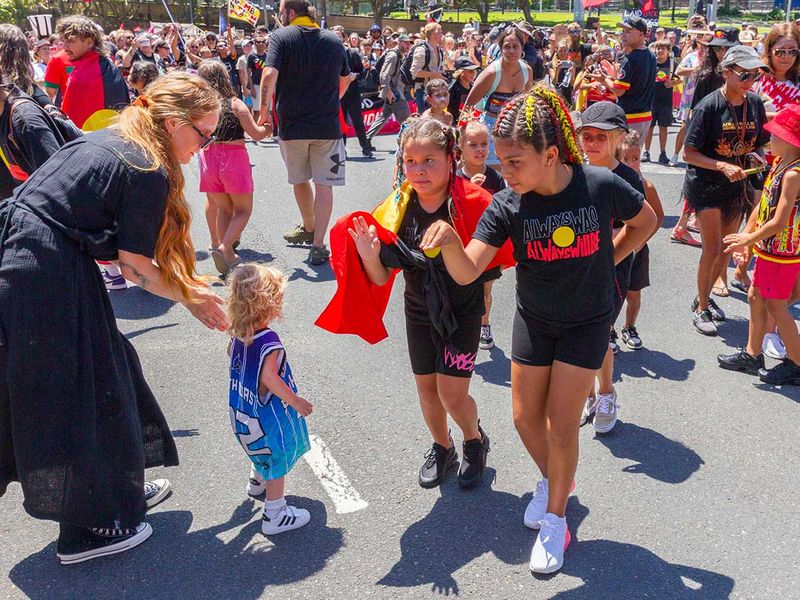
{"x": 443, "y": 318}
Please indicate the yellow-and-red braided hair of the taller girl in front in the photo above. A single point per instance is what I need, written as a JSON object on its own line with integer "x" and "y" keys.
{"x": 540, "y": 118}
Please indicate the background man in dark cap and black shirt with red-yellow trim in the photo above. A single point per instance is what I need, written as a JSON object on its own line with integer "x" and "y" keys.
{"x": 635, "y": 82}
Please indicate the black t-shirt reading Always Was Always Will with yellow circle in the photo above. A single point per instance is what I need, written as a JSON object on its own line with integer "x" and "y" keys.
{"x": 563, "y": 246}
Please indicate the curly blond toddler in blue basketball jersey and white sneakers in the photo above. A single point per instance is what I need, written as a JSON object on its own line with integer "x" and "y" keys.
{"x": 267, "y": 415}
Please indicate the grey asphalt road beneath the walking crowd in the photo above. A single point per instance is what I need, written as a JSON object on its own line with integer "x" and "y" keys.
{"x": 693, "y": 495}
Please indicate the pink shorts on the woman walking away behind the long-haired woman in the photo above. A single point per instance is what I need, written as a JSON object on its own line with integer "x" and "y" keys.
{"x": 225, "y": 169}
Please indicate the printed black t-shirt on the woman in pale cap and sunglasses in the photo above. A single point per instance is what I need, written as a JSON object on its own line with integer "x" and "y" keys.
{"x": 712, "y": 131}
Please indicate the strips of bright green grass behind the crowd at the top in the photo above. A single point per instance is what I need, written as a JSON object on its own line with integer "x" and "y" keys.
{"x": 548, "y": 19}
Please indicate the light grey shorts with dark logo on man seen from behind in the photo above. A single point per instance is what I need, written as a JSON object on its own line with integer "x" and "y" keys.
{"x": 322, "y": 161}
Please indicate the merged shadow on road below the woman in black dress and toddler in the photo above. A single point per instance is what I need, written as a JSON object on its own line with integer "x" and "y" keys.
{"x": 178, "y": 563}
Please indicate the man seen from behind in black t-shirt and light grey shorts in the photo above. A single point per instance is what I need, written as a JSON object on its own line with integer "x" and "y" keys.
{"x": 307, "y": 72}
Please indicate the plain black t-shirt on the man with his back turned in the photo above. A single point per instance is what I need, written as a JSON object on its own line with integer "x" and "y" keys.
{"x": 310, "y": 63}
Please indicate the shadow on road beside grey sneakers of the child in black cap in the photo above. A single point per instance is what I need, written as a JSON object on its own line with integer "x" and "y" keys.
{"x": 655, "y": 455}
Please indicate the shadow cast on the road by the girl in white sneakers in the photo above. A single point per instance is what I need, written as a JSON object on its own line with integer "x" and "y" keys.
{"x": 625, "y": 571}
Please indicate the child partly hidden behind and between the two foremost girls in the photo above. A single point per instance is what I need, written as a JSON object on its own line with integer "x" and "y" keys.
{"x": 474, "y": 151}
